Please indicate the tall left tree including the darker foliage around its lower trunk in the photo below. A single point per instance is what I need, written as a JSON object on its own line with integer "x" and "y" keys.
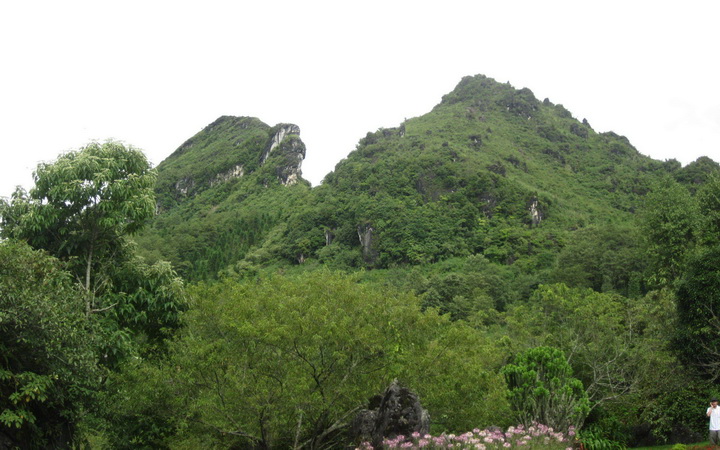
{"x": 82, "y": 210}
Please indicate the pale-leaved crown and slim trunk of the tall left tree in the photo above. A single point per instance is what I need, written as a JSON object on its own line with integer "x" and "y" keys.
{"x": 82, "y": 207}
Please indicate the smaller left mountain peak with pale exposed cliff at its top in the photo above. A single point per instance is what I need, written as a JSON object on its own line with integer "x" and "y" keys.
{"x": 222, "y": 191}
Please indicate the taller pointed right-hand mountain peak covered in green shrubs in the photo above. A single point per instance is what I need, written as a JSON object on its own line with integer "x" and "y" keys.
{"x": 487, "y": 165}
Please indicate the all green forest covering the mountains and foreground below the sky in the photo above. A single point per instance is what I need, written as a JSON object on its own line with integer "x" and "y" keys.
{"x": 497, "y": 256}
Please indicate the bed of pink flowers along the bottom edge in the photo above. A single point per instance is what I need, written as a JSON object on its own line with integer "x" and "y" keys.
{"x": 533, "y": 437}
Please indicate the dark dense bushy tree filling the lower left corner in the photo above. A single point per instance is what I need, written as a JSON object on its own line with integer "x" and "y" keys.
{"x": 47, "y": 360}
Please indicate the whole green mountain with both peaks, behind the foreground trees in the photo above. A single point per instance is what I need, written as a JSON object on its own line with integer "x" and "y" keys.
{"x": 491, "y": 172}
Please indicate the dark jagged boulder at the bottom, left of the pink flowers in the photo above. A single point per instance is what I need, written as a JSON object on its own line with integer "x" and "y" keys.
{"x": 398, "y": 411}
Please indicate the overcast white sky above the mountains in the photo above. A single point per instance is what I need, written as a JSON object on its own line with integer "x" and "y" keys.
{"x": 153, "y": 73}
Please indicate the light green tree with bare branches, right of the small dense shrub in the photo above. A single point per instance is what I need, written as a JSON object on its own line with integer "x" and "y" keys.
{"x": 618, "y": 347}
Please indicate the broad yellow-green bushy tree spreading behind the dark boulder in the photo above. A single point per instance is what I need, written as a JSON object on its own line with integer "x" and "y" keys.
{"x": 302, "y": 355}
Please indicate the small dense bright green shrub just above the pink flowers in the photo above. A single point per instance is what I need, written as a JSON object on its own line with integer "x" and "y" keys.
{"x": 542, "y": 389}
